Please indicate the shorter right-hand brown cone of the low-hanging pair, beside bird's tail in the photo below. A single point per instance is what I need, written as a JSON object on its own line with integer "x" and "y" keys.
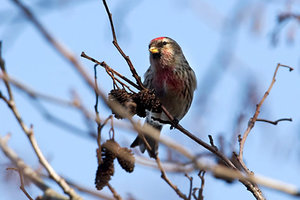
{"x": 126, "y": 159}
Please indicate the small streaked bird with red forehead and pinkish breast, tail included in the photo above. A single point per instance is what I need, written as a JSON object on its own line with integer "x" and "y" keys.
{"x": 173, "y": 82}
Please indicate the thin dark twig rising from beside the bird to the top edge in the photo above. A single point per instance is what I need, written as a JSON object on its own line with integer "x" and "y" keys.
{"x": 115, "y": 42}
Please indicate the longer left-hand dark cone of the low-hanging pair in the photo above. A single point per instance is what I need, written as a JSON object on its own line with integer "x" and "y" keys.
{"x": 106, "y": 168}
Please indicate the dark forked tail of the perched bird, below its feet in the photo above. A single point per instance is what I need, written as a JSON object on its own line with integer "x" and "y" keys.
{"x": 153, "y": 144}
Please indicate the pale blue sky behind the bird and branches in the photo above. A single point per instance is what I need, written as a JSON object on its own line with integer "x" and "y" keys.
{"x": 227, "y": 43}
